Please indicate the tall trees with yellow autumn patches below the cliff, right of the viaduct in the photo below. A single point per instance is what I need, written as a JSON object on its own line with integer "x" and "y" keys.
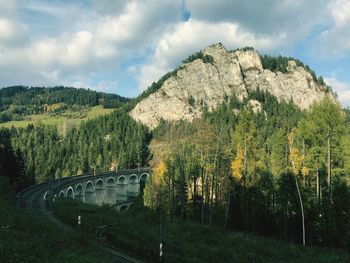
{"x": 280, "y": 171}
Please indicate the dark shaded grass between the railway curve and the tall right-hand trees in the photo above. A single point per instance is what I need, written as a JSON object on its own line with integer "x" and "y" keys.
{"x": 137, "y": 233}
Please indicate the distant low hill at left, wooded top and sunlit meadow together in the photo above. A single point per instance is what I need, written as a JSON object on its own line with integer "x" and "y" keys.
{"x": 20, "y": 106}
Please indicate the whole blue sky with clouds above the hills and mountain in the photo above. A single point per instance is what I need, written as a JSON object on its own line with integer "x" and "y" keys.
{"x": 123, "y": 46}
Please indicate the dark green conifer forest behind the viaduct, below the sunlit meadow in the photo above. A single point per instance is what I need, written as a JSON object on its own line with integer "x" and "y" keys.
{"x": 109, "y": 142}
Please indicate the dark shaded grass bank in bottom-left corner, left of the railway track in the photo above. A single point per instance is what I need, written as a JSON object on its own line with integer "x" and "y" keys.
{"x": 27, "y": 237}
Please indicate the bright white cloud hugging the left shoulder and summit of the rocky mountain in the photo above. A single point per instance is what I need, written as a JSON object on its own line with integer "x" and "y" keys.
{"x": 187, "y": 37}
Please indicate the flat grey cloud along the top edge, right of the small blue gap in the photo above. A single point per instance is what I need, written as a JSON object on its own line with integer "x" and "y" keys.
{"x": 262, "y": 17}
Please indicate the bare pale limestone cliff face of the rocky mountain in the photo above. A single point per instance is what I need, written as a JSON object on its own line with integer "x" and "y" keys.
{"x": 231, "y": 73}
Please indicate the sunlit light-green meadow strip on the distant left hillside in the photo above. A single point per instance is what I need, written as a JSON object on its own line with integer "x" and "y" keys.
{"x": 72, "y": 118}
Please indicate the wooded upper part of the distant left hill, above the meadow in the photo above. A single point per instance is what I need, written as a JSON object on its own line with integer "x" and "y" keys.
{"x": 19, "y": 101}
